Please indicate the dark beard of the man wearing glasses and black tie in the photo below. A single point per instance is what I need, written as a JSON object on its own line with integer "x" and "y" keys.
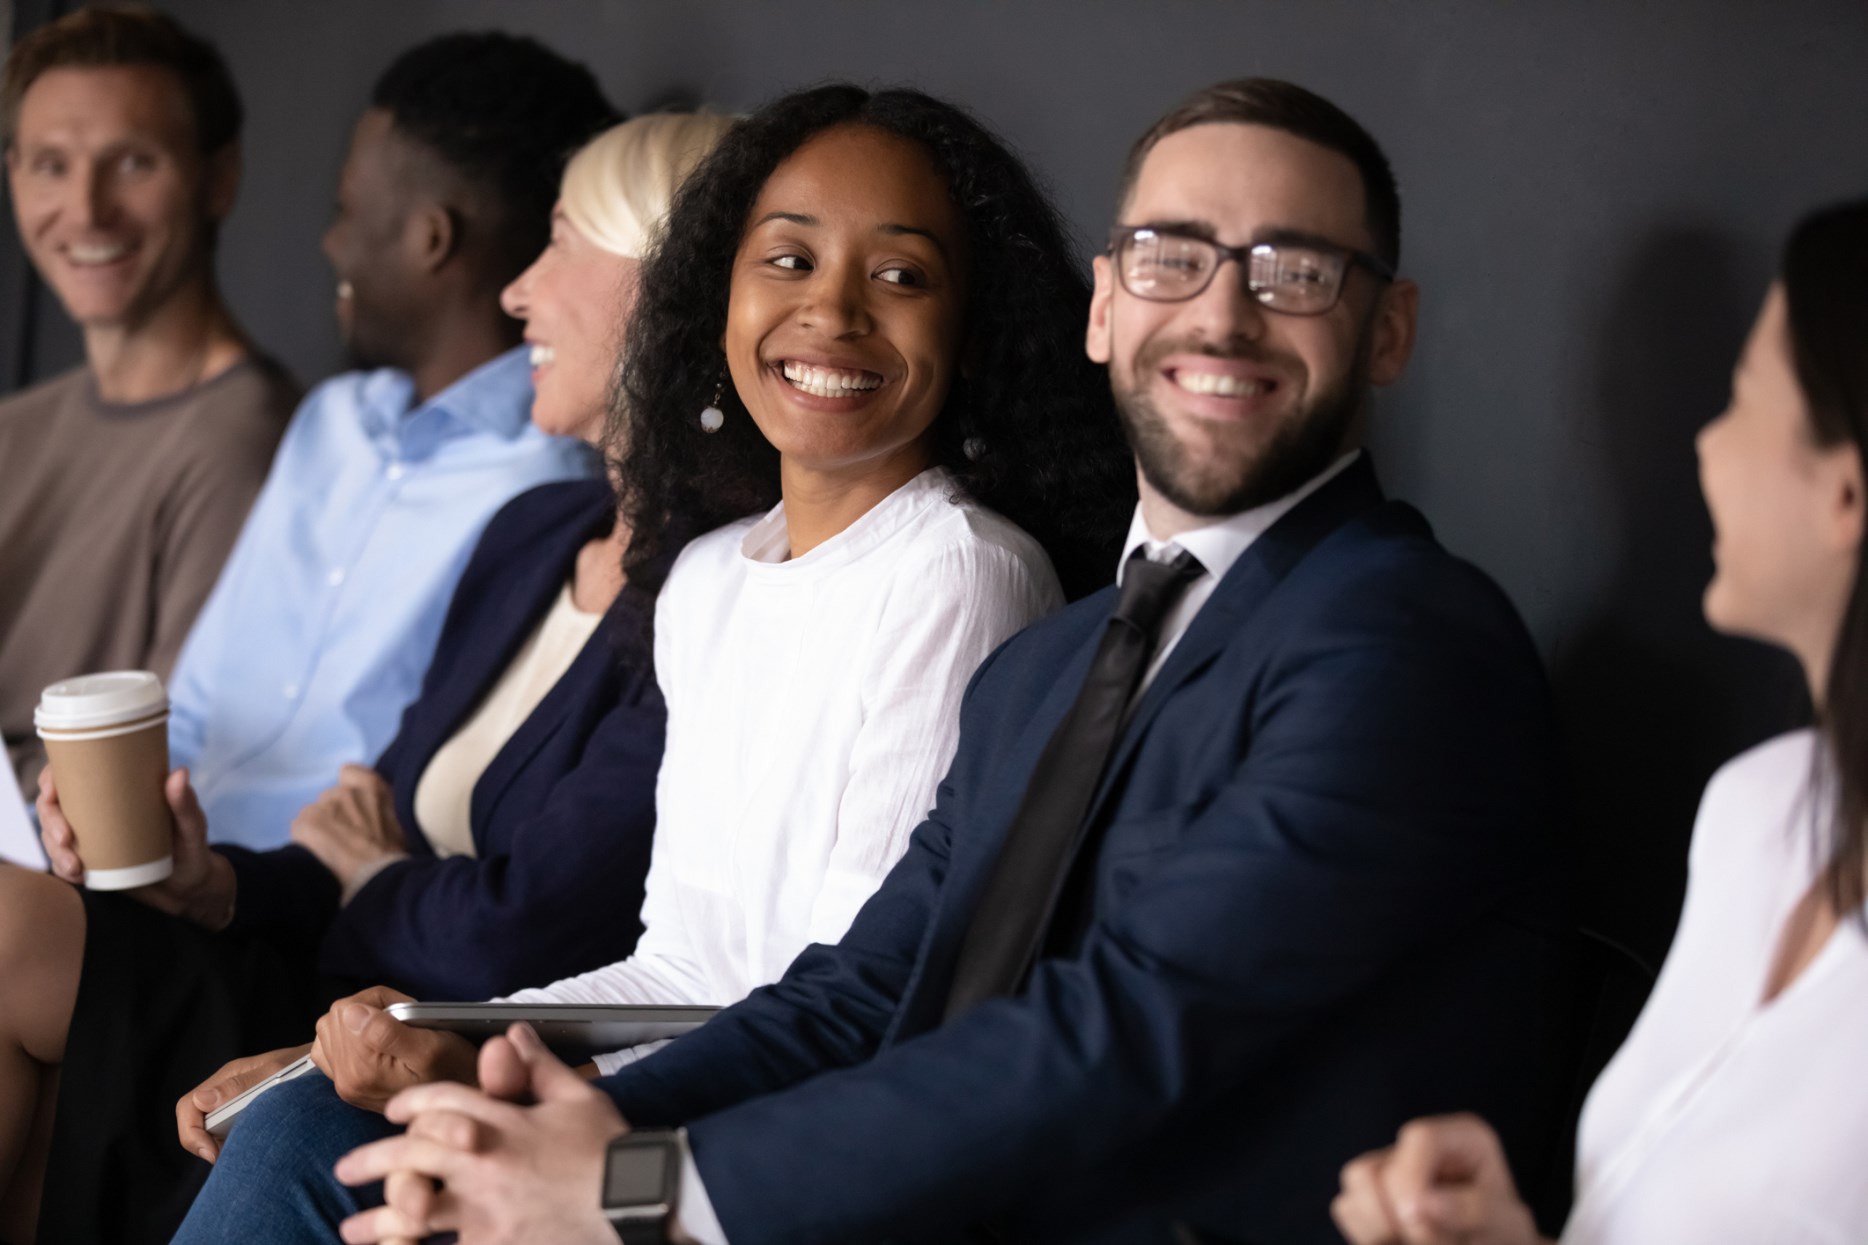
{"x": 1309, "y": 442}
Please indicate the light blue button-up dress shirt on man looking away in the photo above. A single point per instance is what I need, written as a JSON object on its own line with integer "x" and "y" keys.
{"x": 326, "y": 616}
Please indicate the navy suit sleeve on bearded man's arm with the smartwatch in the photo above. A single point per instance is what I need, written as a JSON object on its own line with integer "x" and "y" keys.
{"x": 1396, "y": 756}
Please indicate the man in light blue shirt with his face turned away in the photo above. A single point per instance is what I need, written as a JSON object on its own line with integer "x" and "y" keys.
{"x": 324, "y": 622}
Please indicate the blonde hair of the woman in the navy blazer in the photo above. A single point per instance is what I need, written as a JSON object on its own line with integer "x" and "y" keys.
{"x": 619, "y": 188}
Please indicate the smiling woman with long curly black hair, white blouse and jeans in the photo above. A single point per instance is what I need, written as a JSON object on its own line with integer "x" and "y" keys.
{"x": 856, "y": 358}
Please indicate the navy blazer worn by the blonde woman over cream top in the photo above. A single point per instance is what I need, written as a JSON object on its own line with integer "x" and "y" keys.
{"x": 561, "y": 820}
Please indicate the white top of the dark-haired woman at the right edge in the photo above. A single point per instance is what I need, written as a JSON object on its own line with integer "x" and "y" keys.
{"x": 1725, "y": 1119}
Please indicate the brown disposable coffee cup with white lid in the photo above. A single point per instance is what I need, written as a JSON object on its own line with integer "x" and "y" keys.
{"x": 107, "y": 741}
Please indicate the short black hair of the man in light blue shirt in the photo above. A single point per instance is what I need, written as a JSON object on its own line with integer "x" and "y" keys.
{"x": 505, "y": 113}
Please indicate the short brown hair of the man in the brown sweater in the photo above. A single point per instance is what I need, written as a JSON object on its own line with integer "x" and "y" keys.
{"x": 128, "y": 36}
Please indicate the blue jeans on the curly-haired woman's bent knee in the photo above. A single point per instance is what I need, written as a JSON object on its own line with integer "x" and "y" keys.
{"x": 274, "y": 1182}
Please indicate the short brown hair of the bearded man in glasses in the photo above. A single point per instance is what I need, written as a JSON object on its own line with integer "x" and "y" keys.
{"x": 1295, "y": 111}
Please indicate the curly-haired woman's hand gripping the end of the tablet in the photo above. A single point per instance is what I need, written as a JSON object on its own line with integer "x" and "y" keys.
{"x": 371, "y": 1055}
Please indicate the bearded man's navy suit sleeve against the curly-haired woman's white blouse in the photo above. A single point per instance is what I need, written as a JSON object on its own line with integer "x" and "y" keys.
{"x": 834, "y": 1005}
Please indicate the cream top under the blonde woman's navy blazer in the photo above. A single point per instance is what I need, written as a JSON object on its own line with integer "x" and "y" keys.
{"x": 444, "y": 795}
